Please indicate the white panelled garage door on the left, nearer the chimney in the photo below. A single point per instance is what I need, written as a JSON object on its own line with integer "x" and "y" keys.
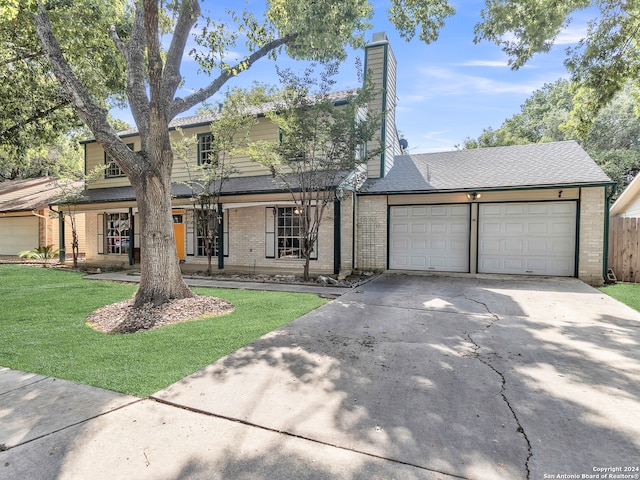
{"x": 429, "y": 237}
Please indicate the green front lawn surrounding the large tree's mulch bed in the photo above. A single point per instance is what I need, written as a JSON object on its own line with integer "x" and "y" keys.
{"x": 43, "y": 330}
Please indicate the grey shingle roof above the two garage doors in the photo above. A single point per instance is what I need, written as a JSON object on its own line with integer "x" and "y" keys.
{"x": 542, "y": 164}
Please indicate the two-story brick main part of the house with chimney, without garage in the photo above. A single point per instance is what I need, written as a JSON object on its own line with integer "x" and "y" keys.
{"x": 260, "y": 229}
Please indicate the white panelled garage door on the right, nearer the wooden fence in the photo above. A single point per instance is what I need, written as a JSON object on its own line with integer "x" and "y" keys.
{"x": 527, "y": 238}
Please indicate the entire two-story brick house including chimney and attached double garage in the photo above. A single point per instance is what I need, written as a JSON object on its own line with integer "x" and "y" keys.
{"x": 532, "y": 210}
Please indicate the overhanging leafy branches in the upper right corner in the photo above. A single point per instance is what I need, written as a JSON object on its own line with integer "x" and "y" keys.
{"x": 602, "y": 63}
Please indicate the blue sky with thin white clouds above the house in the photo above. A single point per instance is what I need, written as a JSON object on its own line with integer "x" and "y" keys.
{"x": 448, "y": 90}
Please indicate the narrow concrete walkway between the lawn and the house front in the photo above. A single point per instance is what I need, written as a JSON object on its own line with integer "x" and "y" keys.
{"x": 330, "y": 291}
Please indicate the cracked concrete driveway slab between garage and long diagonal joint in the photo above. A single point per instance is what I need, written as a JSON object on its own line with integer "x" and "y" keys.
{"x": 475, "y": 378}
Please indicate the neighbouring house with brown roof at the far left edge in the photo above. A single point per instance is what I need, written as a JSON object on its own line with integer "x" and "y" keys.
{"x": 27, "y": 221}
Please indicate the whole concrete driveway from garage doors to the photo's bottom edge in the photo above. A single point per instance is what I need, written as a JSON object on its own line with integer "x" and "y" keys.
{"x": 405, "y": 377}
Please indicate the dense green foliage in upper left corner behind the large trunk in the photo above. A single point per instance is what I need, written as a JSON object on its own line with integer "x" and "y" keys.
{"x": 38, "y": 121}
